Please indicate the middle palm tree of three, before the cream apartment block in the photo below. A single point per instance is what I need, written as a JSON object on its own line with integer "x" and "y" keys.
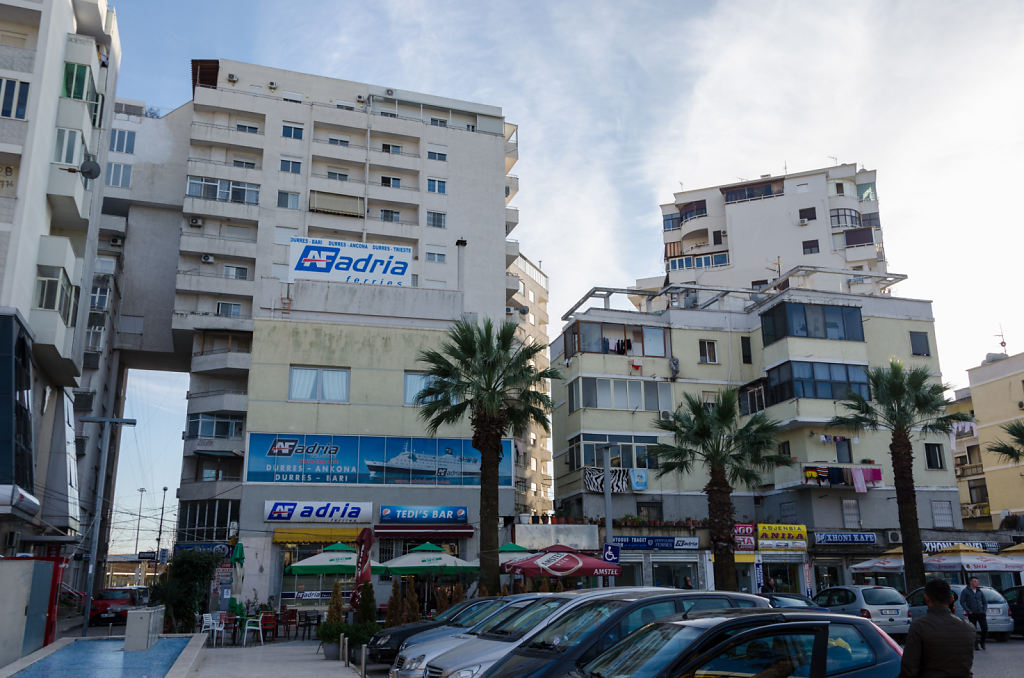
{"x": 710, "y": 436}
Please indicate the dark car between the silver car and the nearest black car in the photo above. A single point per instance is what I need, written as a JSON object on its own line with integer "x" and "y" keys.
{"x": 585, "y": 632}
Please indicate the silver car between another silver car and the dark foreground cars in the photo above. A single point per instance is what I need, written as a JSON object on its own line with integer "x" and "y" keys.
{"x": 467, "y": 659}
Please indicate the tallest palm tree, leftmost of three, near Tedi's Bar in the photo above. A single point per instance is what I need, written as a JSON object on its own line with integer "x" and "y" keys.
{"x": 487, "y": 374}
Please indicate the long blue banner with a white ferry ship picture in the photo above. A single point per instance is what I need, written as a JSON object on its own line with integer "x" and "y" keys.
{"x": 368, "y": 460}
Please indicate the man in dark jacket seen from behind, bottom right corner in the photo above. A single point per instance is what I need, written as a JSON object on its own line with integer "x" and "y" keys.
{"x": 940, "y": 645}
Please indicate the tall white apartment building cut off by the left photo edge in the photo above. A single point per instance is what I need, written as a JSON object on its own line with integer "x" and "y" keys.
{"x": 59, "y": 67}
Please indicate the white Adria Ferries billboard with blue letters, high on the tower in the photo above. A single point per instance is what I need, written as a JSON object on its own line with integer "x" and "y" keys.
{"x": 349, "y": 262}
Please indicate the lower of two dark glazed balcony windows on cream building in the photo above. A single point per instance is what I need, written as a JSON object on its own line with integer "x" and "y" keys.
{"x": 818, "y": 380}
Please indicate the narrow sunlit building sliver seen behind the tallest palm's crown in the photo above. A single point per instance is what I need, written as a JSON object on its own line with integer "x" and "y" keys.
{"x": 527, "y": 295}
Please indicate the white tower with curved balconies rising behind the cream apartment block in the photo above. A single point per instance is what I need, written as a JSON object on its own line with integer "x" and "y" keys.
{"x": 748, "y": 234}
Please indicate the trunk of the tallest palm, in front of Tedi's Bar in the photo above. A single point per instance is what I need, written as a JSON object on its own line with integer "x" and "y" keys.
{"x": 488, "y": 439}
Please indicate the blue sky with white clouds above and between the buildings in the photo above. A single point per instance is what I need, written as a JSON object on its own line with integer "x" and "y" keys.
{"x": 622, "y": 104}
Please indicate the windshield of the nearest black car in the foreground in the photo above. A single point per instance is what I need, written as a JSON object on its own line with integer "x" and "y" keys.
{"x": 645, "y": 654}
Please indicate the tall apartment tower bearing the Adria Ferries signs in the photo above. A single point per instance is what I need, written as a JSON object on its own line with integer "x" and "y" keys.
{"x": 294, "y": 242}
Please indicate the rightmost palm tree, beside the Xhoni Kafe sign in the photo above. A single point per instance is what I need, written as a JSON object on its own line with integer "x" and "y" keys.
{"x": 905, "y": 400}
